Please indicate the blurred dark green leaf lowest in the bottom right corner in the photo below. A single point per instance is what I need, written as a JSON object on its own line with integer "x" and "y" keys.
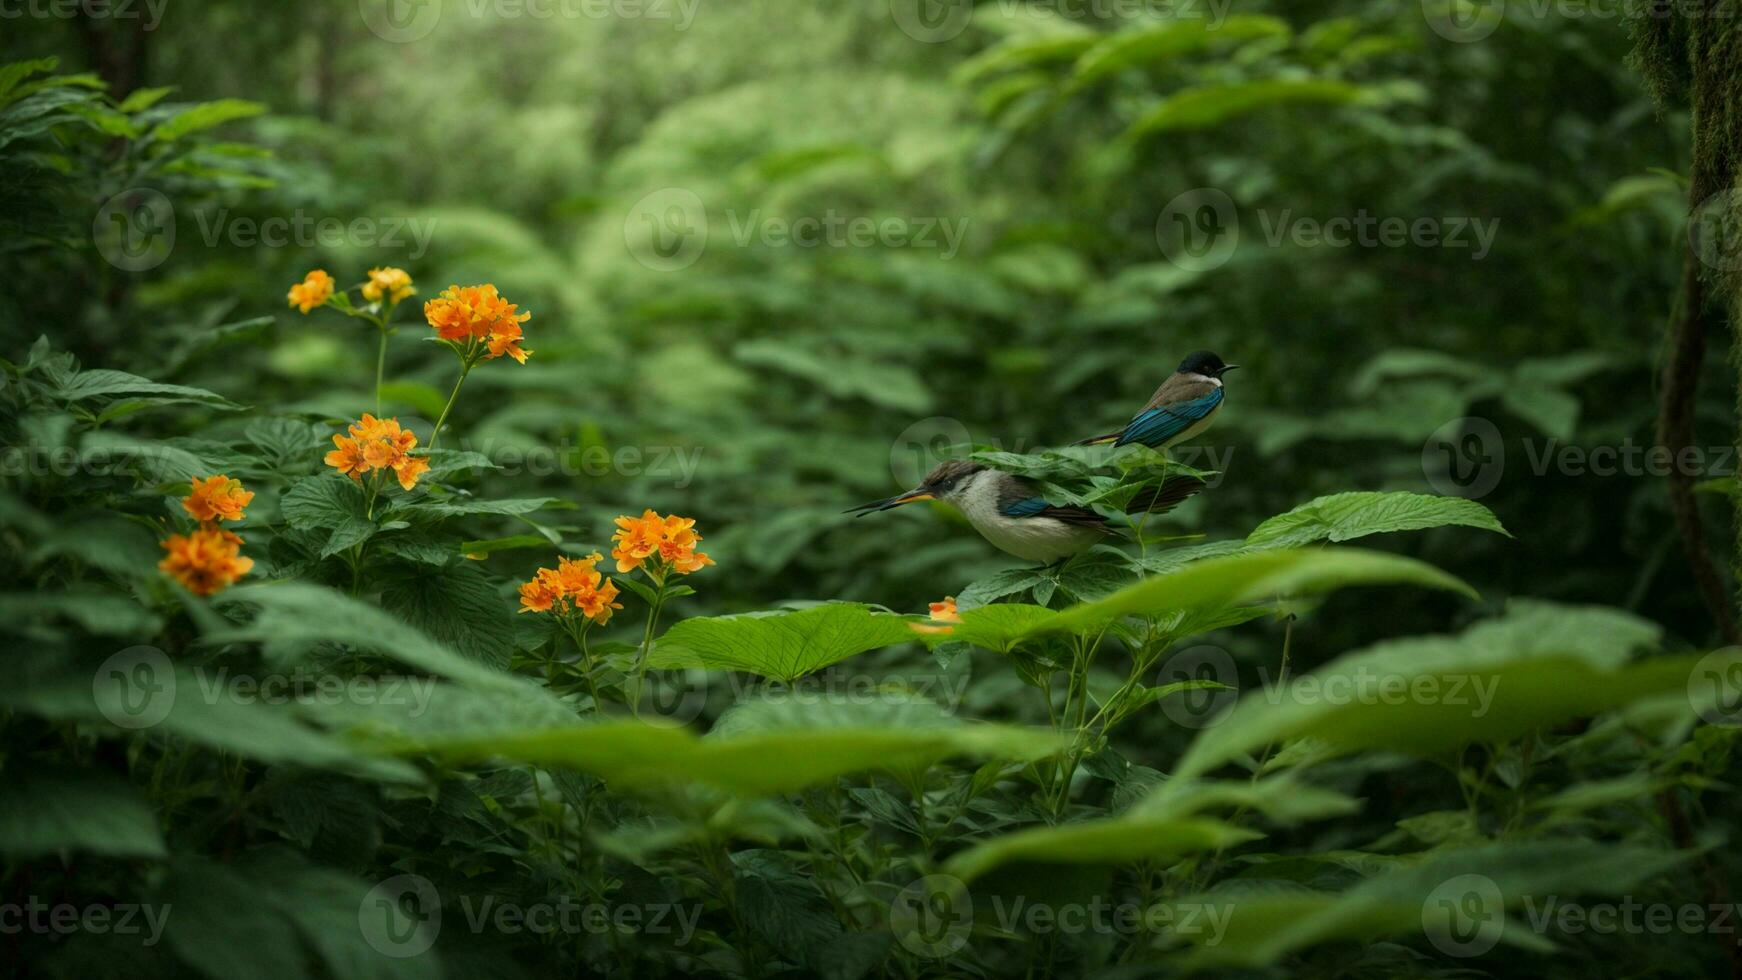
{"x": 1457, "y": 897}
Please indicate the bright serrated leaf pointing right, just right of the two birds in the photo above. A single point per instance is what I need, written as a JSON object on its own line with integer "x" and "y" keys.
{"x": 1347, "y": 516}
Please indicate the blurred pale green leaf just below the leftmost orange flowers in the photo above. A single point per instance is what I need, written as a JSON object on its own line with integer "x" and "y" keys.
{"x": 300, "y": 614}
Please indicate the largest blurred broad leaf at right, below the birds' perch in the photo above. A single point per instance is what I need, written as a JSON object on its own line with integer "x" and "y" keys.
{"x": 1433, "y": 695}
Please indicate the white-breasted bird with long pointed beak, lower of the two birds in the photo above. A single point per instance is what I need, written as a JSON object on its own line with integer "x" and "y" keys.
{"x": 1009, "y": 511}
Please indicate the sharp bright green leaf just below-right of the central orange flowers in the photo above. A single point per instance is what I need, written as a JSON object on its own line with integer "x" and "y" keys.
{"x": 783, "y": 647}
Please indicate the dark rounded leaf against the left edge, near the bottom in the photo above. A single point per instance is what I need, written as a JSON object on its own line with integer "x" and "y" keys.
{"x": 64, "y": 812}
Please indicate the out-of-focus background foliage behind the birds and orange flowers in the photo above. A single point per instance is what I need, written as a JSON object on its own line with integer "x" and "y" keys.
{"x": 813, "y": 379}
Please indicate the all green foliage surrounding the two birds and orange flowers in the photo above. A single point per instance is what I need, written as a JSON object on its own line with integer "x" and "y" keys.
{"x": 360, "y": 760}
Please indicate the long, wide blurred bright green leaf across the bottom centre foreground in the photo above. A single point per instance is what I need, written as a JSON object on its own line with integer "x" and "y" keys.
{"x": 635, "y": 755}
